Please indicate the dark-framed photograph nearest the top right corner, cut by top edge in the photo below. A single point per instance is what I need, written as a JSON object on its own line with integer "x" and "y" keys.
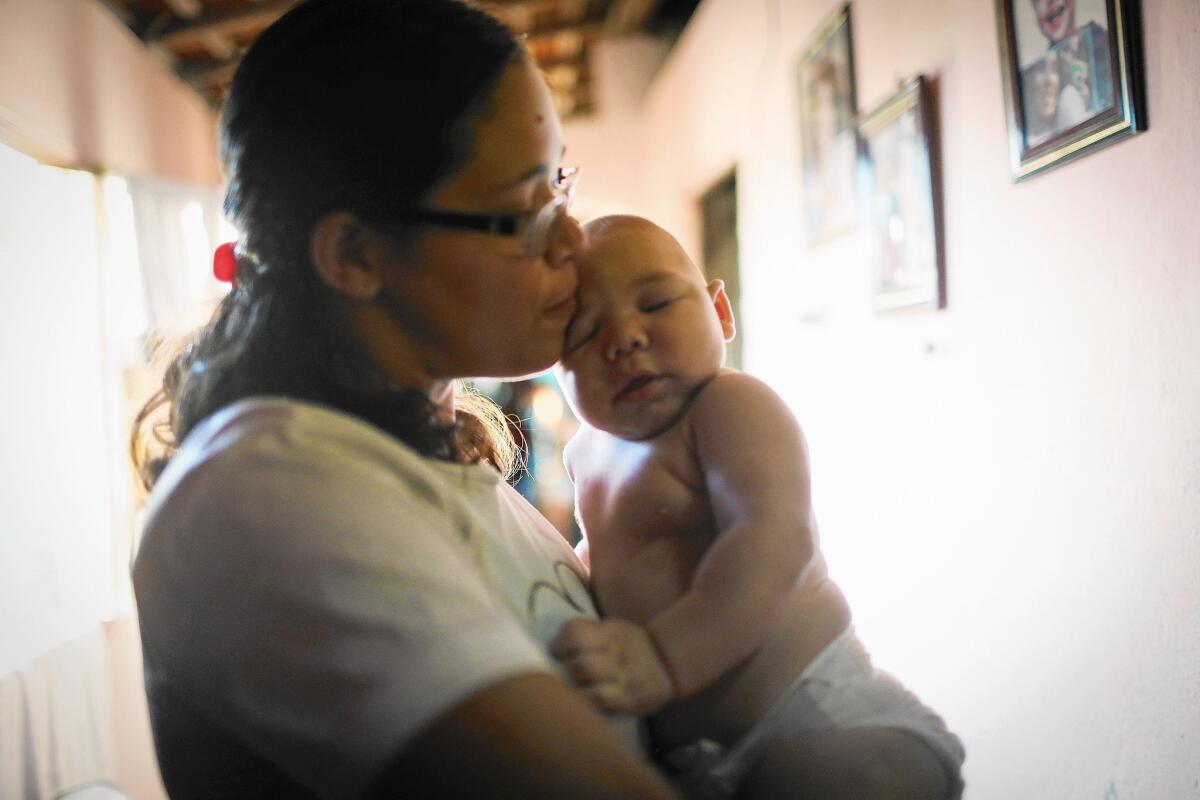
{"x": 1072, "y": 79}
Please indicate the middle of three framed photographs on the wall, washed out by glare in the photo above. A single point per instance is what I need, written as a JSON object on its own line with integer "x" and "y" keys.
{"x": 905, "y": 201}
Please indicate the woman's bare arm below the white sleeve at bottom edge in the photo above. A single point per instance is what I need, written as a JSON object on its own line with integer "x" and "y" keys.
{"x": 529, "y": 737}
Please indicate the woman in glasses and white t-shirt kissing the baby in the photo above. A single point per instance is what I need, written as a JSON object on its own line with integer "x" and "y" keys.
{"x": 339, "y": 594}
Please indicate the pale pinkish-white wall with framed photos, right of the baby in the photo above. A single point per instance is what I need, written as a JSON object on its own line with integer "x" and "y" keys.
{"x": 1010, "y": 490}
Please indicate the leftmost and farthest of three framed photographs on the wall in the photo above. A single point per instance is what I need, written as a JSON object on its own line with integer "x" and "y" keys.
{"x": 830, "y": 143}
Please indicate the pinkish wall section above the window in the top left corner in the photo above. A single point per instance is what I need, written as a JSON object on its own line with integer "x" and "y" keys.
{"x": 79, "y": 89}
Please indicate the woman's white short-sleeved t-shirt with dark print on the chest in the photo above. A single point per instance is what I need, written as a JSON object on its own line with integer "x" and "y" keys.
{"x": 313, "y": 592}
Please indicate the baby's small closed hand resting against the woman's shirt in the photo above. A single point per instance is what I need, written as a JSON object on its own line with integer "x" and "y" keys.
{"x": 615, "y": 664}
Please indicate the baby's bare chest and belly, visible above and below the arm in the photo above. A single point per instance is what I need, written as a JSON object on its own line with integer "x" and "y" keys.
{"x": 649, "y": 520}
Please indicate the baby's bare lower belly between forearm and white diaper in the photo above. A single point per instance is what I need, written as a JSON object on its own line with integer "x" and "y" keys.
{"x": 727, "y": 711}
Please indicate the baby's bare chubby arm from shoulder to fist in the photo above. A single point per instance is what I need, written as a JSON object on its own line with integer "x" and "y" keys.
{"x": 755, "y": 466}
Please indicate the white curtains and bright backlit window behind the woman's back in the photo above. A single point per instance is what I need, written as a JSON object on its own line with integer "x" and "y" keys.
{"x": 91, "y": 267}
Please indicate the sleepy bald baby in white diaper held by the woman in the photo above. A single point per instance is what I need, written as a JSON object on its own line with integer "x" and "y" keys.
{"x": 692, "y": 485}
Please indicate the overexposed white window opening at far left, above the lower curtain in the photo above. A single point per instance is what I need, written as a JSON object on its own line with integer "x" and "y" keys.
{"x": 56, "y": 508}
